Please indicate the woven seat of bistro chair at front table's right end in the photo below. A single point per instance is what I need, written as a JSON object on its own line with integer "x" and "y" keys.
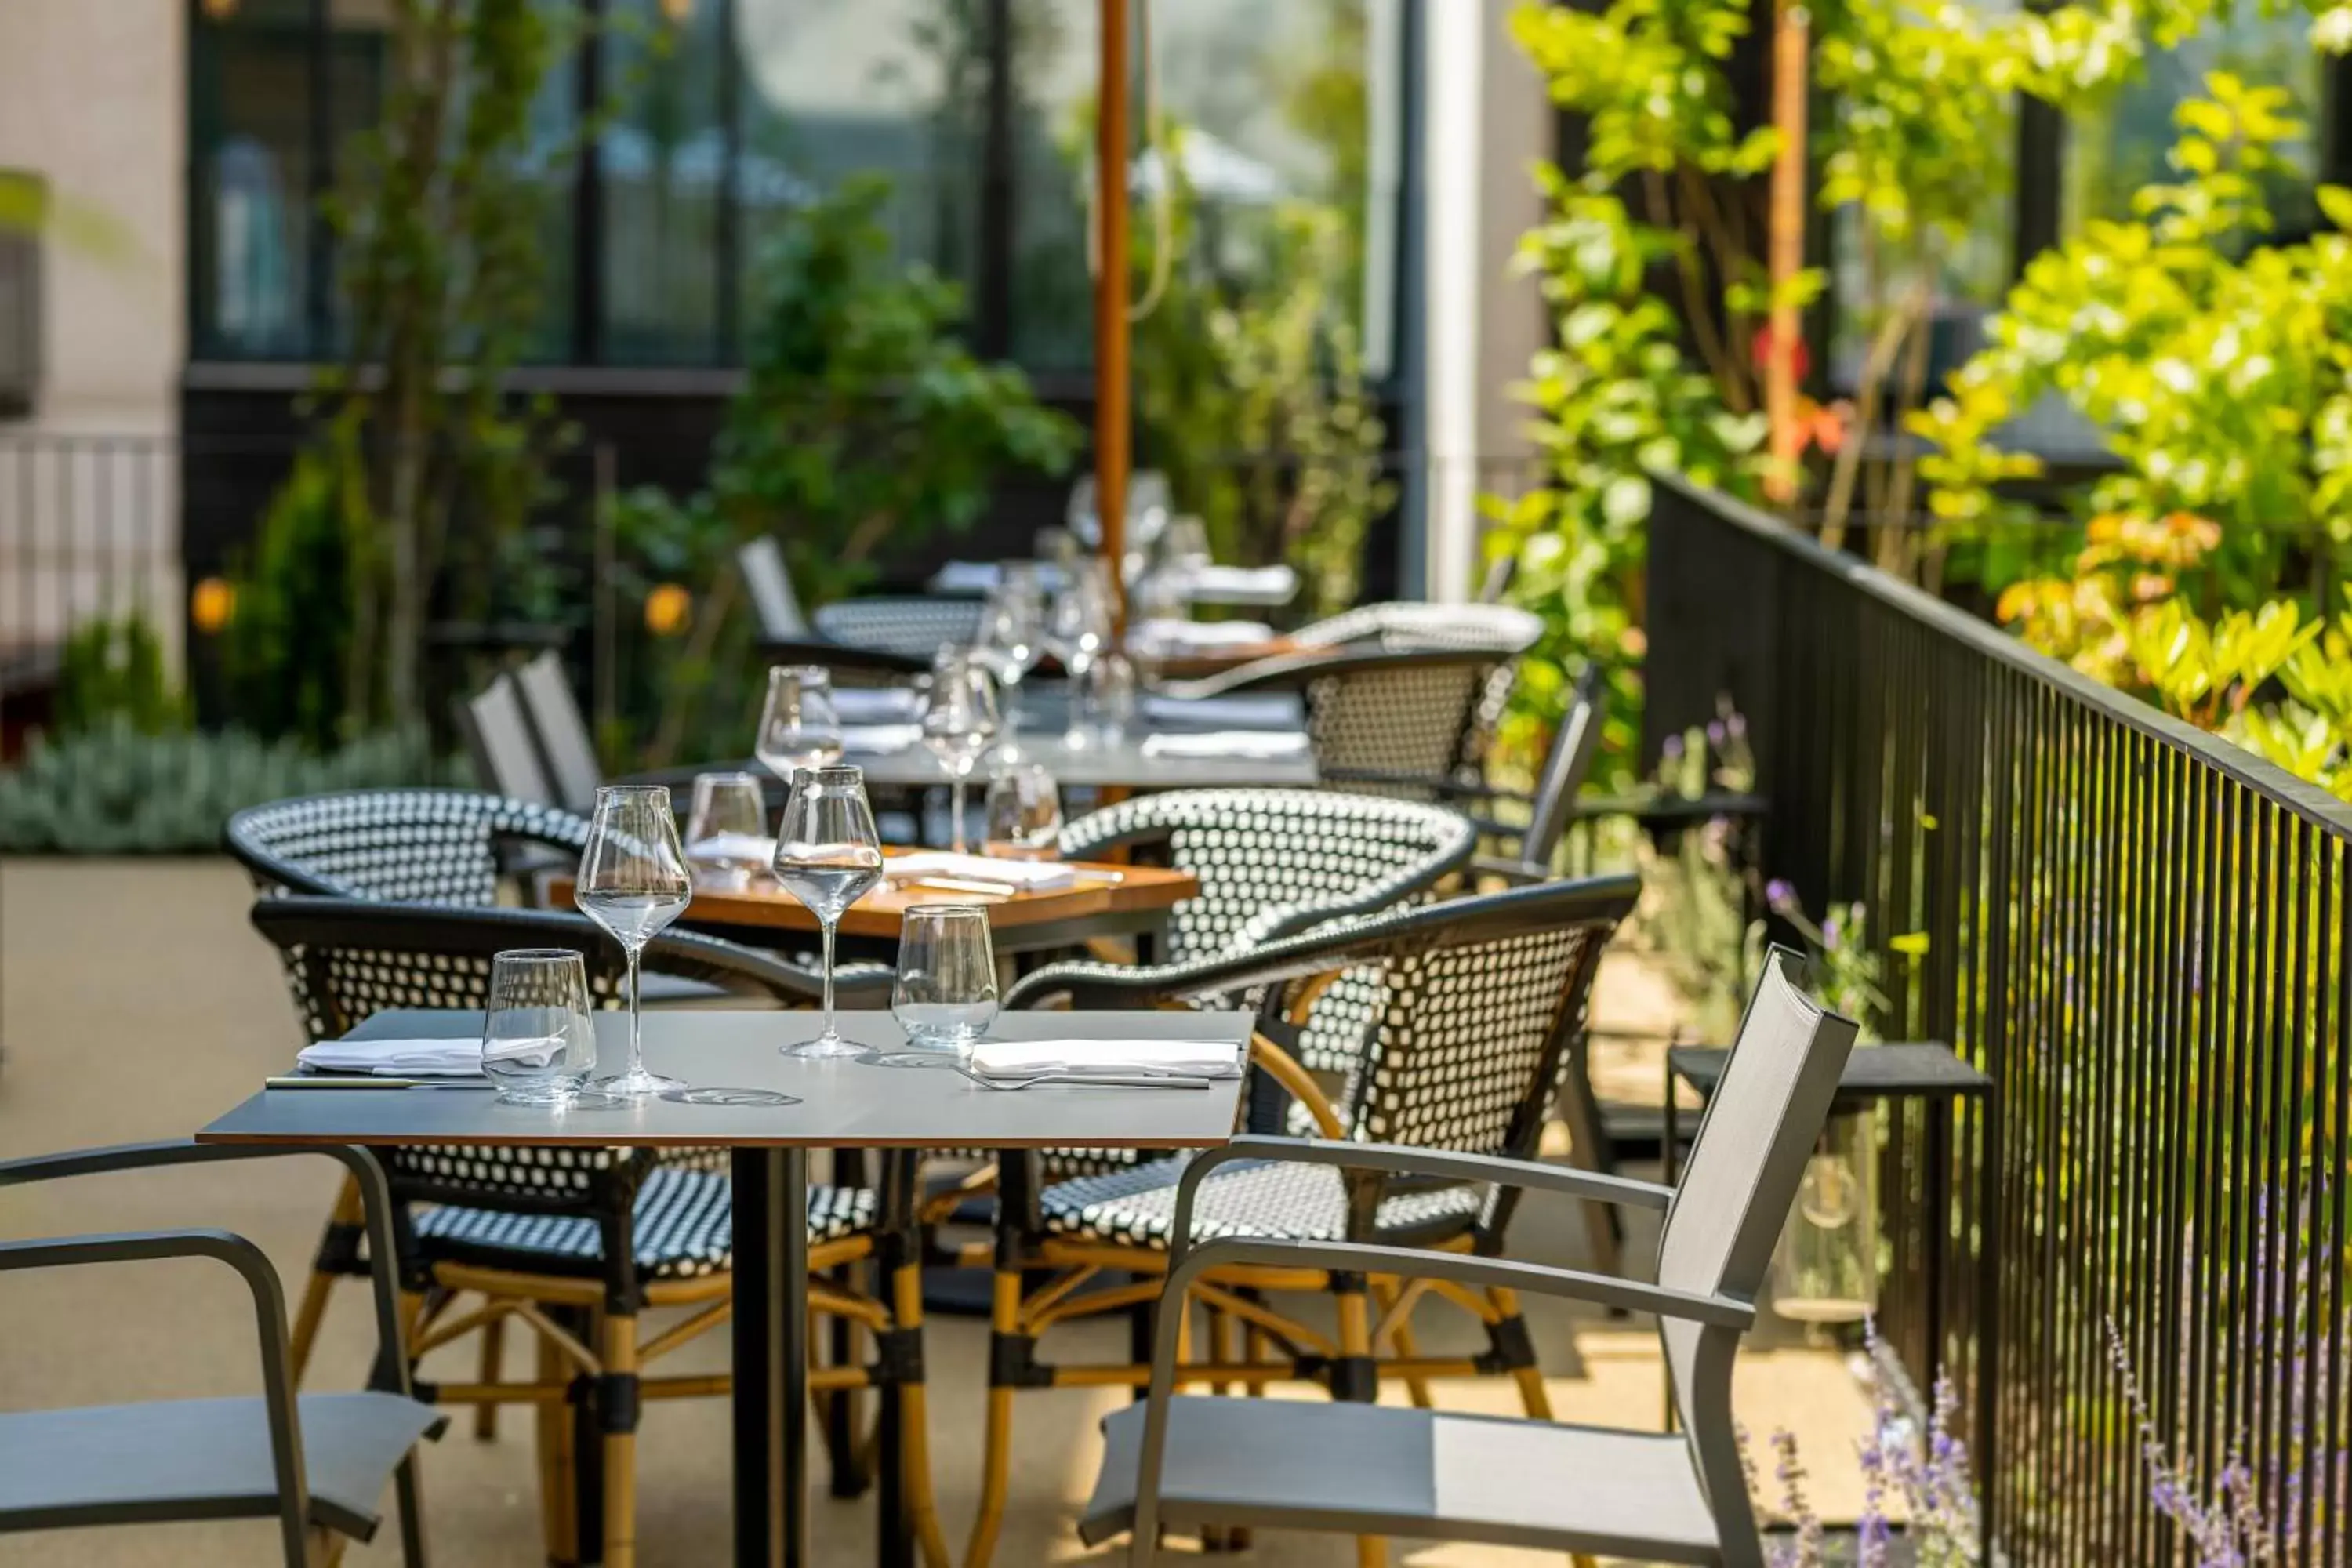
{"x": 1137, "y": 1207}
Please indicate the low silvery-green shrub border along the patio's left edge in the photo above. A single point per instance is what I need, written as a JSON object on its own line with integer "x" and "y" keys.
{"x": 119, "y": 791}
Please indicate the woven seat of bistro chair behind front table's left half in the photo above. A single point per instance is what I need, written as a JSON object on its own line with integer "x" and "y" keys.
{"x": 683, "y": 1228}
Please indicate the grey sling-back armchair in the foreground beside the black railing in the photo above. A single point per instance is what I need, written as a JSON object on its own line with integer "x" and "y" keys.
{"x": 1368, "y": 1470}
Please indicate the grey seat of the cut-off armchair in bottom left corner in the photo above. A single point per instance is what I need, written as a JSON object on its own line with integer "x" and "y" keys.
{"x": 201, "y": 1459}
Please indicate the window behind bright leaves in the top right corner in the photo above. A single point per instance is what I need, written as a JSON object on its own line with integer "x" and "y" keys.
{"x": 2120, "y": 147}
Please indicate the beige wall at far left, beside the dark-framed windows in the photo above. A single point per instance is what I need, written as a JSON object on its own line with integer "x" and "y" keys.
{"x": 93, "y": 95}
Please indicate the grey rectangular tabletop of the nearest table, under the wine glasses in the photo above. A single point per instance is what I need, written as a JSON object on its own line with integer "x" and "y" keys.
{"x": 843, "y": 1104}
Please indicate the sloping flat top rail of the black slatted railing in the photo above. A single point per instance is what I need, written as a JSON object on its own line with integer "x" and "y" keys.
{"x": 2250, "y": 770}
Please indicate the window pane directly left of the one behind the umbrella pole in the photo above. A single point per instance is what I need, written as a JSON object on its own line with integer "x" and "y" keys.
{"x": 843, "y": 88}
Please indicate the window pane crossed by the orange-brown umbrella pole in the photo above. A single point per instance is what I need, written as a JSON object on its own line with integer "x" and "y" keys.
{"x": 1271, "y": 107}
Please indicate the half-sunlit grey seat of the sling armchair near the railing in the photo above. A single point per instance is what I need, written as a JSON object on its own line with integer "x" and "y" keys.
{"x": 1299, "y": 1466}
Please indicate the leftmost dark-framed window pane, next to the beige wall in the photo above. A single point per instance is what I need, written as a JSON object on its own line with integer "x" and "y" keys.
{"x": 248, "y": 215}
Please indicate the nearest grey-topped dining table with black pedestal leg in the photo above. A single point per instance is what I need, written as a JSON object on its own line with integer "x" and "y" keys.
{"x": 843, "y": 1106}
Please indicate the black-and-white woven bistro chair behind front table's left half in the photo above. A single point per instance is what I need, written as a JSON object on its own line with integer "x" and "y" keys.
{"x": 577, "y": 1247}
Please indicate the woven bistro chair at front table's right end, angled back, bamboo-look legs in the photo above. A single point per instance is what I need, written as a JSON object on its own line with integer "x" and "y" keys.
{"x": 1478, "y": 1003}
